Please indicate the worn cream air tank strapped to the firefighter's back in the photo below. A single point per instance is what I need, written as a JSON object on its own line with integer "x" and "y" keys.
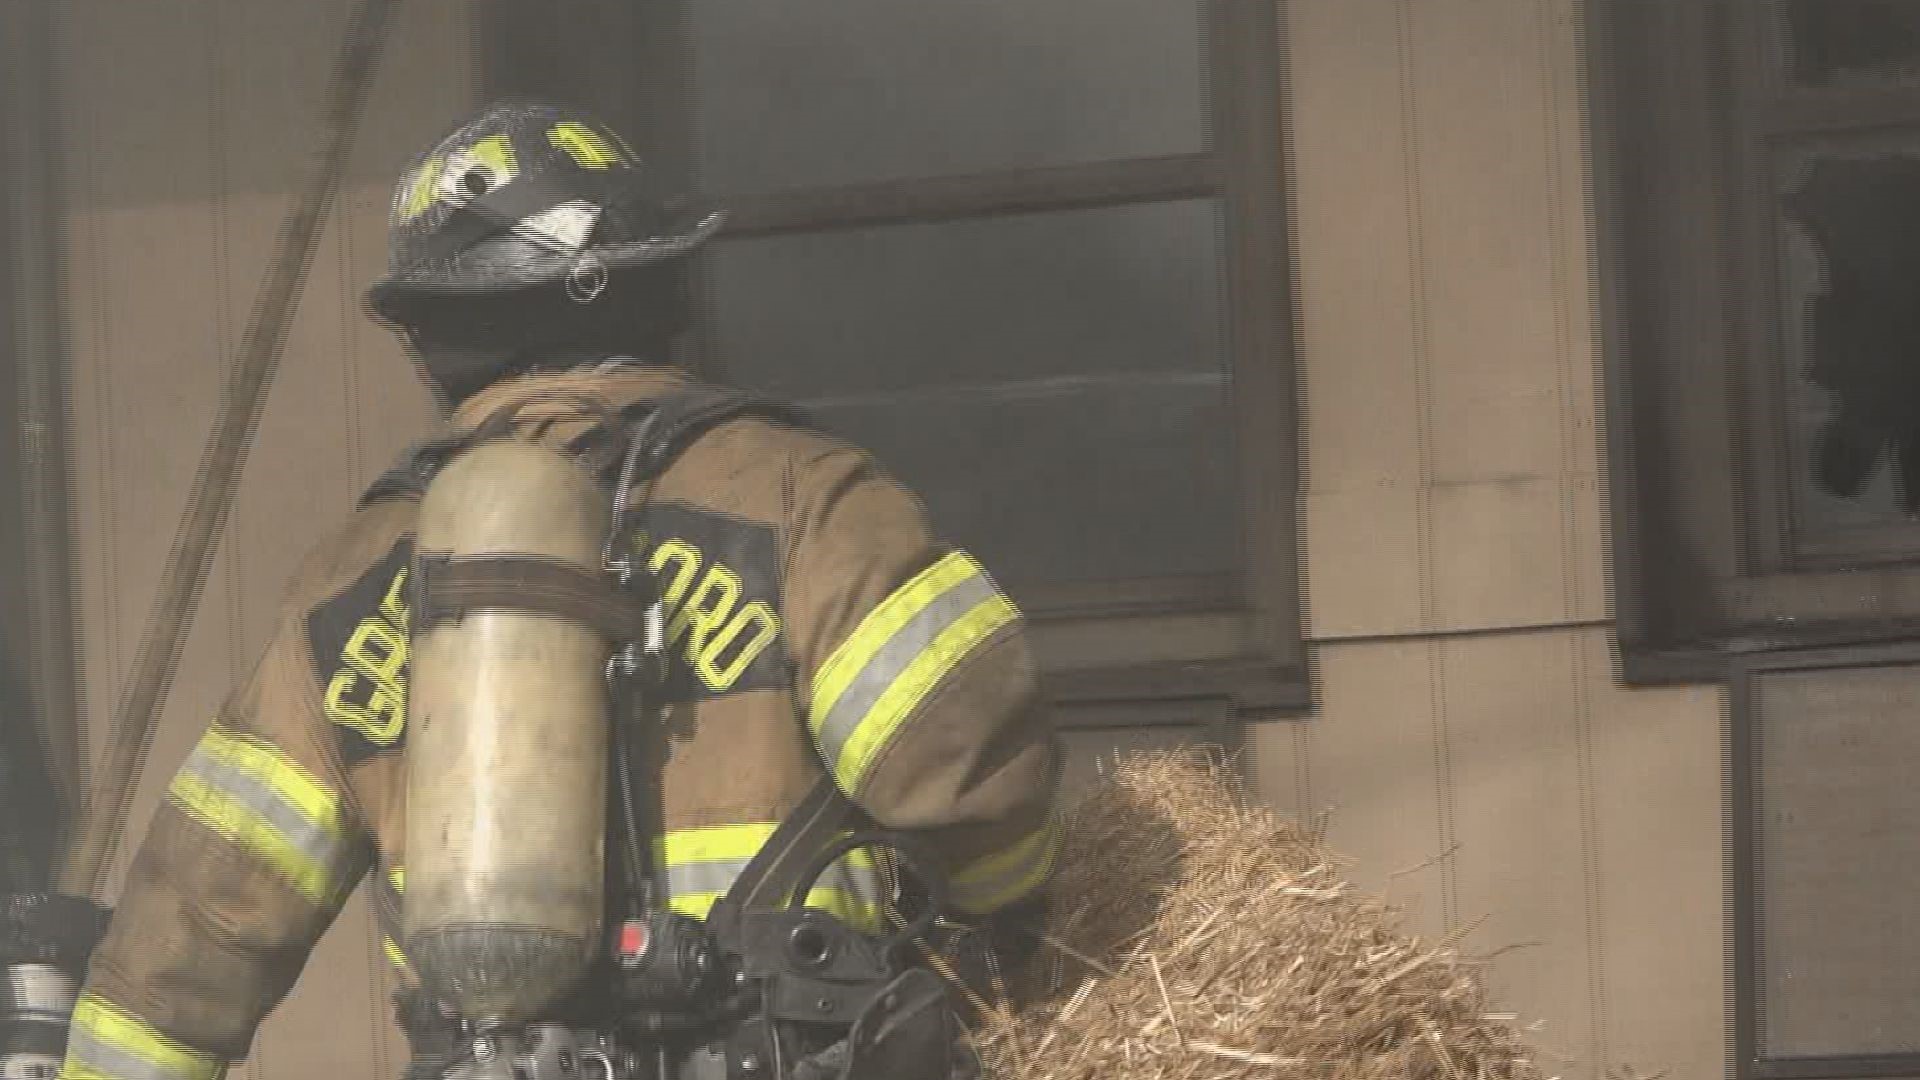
{"x": 508, "y": 737}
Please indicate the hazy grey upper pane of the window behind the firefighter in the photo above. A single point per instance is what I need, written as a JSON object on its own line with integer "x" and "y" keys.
{"x": 867, "y": 91}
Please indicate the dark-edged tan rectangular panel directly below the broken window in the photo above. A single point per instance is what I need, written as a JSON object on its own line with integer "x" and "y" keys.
{"x": 1825, "y": 948}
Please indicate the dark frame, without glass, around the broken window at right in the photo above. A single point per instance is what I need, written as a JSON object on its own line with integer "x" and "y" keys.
{"x": 1704, "y": 556}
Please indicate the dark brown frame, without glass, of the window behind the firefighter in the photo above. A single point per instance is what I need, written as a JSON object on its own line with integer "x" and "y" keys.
{"x": 1236, "y": 637}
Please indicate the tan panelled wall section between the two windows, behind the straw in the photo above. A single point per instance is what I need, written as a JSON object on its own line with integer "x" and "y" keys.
{"x": 1456, "y": 552}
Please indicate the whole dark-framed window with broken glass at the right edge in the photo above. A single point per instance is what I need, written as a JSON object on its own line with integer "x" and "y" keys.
{"x": 1760, "y": 176}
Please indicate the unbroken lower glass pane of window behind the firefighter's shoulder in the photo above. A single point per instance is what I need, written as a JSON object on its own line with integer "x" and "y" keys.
{"x": 1053, "y": 385}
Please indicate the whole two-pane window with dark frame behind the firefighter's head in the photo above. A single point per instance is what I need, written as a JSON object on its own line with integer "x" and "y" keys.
{"x": 1030, "y": 255}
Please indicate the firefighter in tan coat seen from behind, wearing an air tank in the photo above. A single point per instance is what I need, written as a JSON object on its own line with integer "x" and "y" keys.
{"x": 792, "y": 629}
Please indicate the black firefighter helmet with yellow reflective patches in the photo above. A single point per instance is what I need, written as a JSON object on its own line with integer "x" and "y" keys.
{"x": 540, "y": 207}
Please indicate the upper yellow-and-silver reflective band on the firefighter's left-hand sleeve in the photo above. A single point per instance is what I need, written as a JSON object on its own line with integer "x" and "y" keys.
{"x": 266, "y": 802}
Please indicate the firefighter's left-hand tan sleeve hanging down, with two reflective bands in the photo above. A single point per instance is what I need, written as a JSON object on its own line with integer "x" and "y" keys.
{"x": 247, "y": 862}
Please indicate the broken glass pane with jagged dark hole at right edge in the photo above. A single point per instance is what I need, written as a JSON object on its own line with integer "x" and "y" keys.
{"x": 1852, "y": 318}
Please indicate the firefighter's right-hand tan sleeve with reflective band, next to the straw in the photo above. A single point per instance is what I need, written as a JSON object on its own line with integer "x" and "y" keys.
{"x": 919, "y": 683}
